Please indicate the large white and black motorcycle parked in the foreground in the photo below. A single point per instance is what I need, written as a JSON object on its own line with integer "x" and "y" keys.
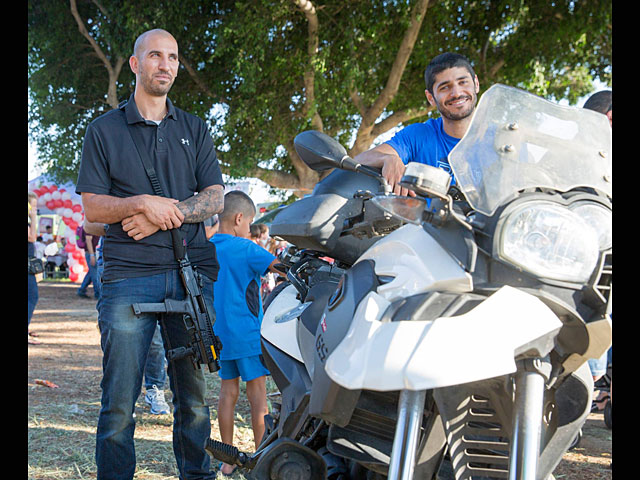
{"x": 447, "y": 334}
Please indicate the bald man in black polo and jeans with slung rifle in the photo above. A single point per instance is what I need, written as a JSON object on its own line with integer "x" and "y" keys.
{"x": 139, "y": 262}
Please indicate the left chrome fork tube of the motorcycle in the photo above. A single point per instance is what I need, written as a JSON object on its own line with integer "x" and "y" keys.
{"x": 405, "y": 440}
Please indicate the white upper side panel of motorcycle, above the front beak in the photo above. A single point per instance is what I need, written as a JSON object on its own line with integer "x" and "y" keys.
{"x": 418, "y": 264}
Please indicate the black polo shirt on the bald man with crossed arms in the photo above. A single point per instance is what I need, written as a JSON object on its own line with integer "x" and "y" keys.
{"x": 182, "y": 153}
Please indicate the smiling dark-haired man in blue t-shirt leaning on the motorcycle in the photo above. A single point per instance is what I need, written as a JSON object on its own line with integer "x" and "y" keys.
{"x": 452, "y": 87}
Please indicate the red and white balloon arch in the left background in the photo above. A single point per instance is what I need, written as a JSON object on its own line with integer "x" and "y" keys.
{"x": 62, "y": 203}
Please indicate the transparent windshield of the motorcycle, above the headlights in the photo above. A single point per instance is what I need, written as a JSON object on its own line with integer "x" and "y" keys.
{"x": 518, "y": 140}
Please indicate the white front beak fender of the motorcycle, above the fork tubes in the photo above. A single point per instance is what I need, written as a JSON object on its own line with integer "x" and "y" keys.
{"x": 426, "y": 354}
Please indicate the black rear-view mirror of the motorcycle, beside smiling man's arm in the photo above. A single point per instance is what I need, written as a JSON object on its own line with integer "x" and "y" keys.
{"x": 321, "y": 152}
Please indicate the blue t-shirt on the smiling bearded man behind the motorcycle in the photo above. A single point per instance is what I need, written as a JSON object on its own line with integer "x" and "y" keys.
{"x": 426, "y": 143}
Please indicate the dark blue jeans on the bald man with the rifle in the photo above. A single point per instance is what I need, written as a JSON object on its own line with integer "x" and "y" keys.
{"x": 125, "y": 341}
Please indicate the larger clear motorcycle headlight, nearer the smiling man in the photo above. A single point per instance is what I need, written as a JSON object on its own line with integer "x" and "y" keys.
{"x": 550, "y": 241}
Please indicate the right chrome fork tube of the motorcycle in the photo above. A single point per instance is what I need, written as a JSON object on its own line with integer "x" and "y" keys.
{"x": 530, "y": 384}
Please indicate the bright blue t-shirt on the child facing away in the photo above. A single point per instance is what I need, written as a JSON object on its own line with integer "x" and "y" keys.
{"x": 236, "y": 295}
